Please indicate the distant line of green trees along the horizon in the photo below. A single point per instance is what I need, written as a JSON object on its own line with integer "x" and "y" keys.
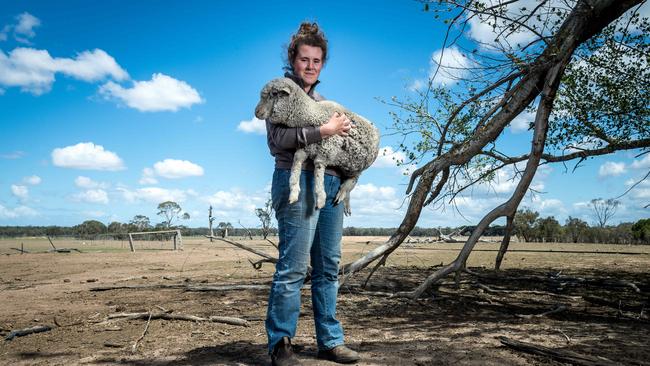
{"x": 528, "y": 226}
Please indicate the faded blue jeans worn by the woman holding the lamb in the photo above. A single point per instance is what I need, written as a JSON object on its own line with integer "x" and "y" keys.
{"x": 305, "y": 232}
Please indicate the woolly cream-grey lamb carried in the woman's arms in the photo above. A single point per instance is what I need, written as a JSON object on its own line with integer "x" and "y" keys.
{"x": 282, "y": 101}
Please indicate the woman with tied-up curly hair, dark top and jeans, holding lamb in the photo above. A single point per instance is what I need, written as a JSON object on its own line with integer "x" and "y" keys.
{"x": 307, "y": 235}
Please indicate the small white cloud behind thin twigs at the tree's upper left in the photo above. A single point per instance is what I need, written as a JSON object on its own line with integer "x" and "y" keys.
{"x": 453, "y": 66}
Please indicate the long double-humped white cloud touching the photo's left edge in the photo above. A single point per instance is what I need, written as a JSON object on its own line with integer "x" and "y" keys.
{"x": 34, "y": 70}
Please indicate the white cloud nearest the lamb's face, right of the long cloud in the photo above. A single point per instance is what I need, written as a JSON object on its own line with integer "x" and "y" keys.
{"x": 161, "y": 93}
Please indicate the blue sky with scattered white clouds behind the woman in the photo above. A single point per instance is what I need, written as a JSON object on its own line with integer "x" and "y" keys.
{"x": 109, "y": 108}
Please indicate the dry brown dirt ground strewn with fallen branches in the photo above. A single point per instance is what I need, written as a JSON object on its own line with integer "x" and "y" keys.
{"x": 601, "y": 298}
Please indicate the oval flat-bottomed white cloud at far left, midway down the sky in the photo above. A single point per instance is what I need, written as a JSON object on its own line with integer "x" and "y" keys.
{"x": 86, "y": 155}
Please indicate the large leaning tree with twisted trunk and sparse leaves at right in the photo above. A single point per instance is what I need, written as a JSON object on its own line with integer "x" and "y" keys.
{"x": 458, "y": 128}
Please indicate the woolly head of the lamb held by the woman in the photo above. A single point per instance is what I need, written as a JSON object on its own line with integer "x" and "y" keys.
{"x": 276, "y": 100}
